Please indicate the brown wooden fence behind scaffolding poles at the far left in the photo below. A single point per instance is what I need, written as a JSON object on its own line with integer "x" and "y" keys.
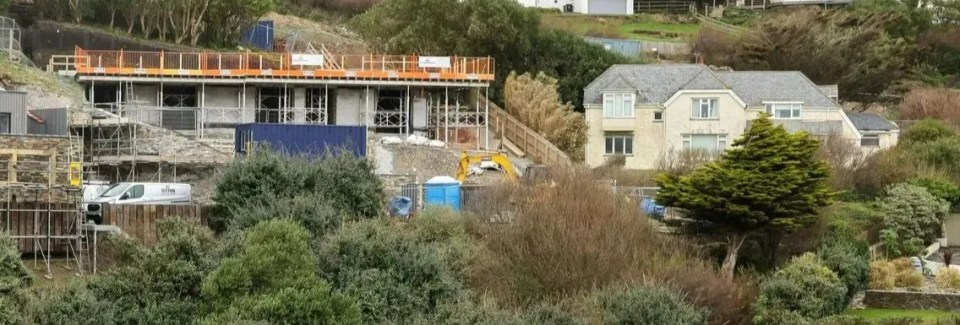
{"x": 39, "y": 226}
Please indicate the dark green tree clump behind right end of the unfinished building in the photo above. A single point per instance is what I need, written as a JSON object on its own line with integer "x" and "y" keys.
{"x": 502, "y": 29}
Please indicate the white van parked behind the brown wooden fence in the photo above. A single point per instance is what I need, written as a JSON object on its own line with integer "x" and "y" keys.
{"x": 138, "y": 193}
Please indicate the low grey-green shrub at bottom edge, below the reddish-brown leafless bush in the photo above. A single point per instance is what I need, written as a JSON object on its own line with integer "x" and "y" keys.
{"x": 629, "y": 304}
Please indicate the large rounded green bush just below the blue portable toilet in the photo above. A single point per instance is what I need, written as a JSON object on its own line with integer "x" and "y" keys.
{"x": 399, "y": 272}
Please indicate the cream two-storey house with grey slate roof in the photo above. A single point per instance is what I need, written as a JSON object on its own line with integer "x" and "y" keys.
{"x": 646, "y": 112}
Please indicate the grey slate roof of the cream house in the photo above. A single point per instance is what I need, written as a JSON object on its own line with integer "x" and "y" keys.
{"x": 657, "y": 83}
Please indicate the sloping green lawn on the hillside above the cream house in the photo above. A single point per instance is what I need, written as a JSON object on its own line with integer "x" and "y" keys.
{"x": 640, "y": 27}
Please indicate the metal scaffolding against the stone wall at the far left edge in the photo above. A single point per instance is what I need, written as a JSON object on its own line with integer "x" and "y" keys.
{"x": 41, "y": 207}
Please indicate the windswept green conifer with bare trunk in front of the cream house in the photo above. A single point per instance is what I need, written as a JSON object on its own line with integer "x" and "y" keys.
{"x": 770, "y": 181}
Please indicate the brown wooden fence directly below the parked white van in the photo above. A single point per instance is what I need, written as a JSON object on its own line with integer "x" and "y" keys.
{"x": 140, "y": 221}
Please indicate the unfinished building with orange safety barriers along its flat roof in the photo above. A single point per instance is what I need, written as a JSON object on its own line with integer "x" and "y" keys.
{"x": 153, "y": 109}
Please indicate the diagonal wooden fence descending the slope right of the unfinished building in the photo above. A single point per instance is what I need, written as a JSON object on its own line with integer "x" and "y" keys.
{"x": 530, "y": 142}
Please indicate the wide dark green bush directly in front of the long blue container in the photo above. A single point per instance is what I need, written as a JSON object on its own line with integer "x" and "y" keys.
{"x": 265, "y": 178}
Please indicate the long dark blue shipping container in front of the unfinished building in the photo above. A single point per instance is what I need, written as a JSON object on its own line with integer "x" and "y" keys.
{"x": 301, "y": 139}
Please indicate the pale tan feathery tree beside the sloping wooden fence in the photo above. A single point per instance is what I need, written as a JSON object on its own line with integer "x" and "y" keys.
{"x": 535, "y": 102}
